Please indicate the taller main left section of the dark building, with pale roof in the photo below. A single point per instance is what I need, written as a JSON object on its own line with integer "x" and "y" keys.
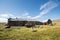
{"x": 20, "y": 22}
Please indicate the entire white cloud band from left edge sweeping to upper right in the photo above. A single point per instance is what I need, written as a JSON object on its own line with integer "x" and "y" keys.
{"x": 45, "y": 8}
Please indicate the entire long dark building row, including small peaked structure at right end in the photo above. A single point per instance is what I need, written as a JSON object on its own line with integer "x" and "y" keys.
{"x": 28, "y": 23}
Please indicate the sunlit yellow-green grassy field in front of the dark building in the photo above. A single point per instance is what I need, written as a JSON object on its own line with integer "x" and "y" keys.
{"x": 44, "y": 32}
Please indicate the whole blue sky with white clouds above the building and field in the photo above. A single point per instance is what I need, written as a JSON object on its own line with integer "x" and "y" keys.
{"x": 35, "y": 9}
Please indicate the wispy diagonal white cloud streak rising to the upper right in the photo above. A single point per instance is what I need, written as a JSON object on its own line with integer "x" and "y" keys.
{"x": 46, "y": 8}
